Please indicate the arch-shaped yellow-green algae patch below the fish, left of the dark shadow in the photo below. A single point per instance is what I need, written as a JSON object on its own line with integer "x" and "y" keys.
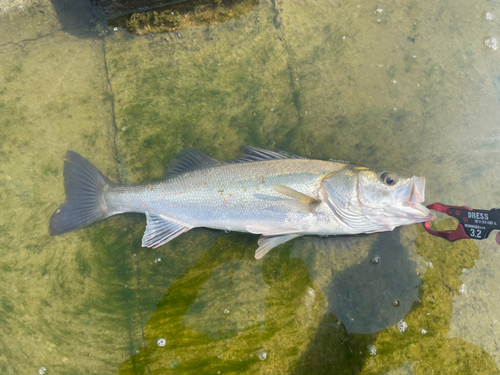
{"x": 232, "y": 351}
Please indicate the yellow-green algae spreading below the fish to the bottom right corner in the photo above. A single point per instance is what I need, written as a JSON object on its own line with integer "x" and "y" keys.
{"x": 296, "y": 339}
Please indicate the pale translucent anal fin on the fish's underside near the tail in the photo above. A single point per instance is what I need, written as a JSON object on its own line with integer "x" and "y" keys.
{"x": 160, "y": 230}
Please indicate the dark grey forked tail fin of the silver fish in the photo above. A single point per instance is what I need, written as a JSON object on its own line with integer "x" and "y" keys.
{"x": 84, "y": 185}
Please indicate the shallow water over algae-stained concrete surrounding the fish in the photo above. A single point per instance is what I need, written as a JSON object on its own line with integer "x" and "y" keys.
{"x": 406, "y": 85}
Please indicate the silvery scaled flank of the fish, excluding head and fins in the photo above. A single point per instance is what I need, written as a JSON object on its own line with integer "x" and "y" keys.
{"x": 226, "y": 196}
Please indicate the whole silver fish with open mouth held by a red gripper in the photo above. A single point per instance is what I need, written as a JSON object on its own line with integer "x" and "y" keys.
{"x": 272, "y": 193}
